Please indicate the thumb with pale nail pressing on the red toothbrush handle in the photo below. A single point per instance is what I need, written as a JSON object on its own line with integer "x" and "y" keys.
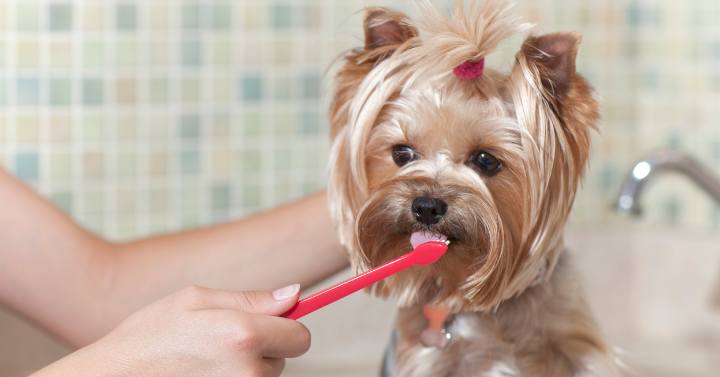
{"x": 260, "y": 302}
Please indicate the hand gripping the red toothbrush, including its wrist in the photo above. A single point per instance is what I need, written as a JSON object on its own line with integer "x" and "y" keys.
{"x": 197, "y": 332}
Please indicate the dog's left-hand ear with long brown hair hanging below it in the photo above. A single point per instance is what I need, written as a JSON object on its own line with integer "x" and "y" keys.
{"x": 385, "y": 31}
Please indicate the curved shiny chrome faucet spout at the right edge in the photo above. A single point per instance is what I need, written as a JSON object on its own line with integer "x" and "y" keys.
{"x": 658, "y": 162}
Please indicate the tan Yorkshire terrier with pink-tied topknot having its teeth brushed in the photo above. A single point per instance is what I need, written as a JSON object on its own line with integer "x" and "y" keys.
{"x": 428, "y": 144}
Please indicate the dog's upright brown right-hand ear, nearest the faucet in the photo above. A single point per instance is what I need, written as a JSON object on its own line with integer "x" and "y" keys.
{"x": 553, "y": 55}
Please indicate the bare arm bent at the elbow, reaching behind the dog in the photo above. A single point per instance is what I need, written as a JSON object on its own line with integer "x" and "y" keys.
{"x": 79, "y": 286}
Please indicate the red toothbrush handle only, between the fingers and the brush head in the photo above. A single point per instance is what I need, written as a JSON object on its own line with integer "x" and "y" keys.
{"x": 340, "y": 290}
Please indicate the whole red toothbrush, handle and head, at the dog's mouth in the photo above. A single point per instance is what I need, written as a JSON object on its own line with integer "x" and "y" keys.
{"x": 427, "y": 253}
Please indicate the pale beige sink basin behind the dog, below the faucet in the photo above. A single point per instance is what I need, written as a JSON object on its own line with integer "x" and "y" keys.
{"x": 650, "y": 288}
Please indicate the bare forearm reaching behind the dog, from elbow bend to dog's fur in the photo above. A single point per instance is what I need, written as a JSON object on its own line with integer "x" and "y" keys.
{"x": 294, "y": 243}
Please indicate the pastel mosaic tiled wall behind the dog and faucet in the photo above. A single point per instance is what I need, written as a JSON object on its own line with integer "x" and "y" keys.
{"x": 145, "y": 116}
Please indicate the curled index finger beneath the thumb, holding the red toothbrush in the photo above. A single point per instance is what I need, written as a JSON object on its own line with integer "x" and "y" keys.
{"x": 273, "y": 337}
